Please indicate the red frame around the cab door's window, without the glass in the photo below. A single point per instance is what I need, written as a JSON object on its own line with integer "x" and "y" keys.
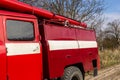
{"x": 33, "y": 20}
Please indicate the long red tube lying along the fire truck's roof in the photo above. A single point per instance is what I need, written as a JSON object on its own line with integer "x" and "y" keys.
{"x": 25, "y": 8}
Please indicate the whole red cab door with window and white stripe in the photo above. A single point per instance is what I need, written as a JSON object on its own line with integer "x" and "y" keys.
{"x": 24, "y": 58}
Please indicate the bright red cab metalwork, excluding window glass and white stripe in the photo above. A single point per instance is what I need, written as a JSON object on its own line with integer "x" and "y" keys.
{"x": 19, "y": 67}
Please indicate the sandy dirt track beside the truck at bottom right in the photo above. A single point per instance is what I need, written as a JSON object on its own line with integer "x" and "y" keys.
{"x": 111, "y": 73}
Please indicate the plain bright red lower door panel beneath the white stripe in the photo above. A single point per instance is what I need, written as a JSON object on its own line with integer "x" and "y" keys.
{"x": 24, "y": 67}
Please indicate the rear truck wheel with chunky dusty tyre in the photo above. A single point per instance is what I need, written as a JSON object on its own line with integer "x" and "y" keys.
{"x": 72, "y": 73}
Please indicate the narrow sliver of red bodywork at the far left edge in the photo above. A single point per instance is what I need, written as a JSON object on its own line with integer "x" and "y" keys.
{"x": 2, "y": 53}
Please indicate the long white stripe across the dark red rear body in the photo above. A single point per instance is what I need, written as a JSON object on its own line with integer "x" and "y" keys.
{"x": 59, "y": 45}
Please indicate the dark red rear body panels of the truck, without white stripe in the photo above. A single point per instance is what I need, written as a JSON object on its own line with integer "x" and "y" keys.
{"x": 57, "y": 59}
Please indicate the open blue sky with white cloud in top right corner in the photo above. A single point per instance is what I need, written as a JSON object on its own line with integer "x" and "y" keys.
{"x": 112, "y": 10}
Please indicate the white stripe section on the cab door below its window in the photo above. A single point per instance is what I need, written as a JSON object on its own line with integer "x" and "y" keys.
{"x": 22, "y": 48}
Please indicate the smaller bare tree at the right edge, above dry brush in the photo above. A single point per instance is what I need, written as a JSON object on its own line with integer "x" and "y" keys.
{"x": 113, "y": 32}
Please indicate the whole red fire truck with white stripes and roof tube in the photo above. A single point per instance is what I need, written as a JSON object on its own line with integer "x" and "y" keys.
{"x": 36, "y": 44}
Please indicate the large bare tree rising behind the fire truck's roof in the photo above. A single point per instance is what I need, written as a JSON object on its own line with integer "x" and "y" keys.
{"x": 88, "y": 11}
